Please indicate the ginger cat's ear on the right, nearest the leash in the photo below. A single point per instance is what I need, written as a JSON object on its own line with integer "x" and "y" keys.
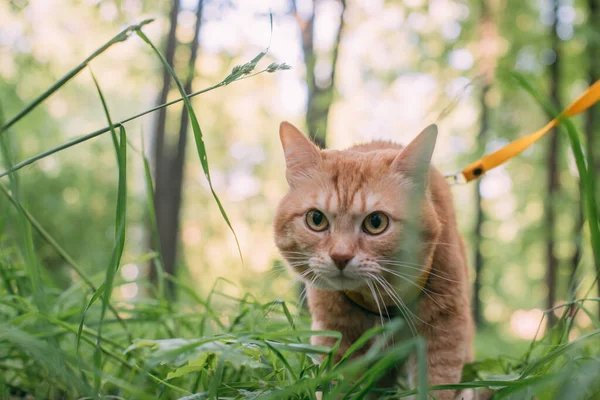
{"x": 416, "y": 157}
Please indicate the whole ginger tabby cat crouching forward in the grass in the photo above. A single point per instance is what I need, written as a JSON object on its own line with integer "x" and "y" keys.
{"x": 339, "y": 228}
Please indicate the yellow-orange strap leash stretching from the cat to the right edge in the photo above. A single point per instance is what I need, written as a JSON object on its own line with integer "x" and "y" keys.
{"x": 516, "y": 147}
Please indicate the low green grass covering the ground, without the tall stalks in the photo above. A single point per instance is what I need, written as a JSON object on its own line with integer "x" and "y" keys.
{"x": 245, "y": 349}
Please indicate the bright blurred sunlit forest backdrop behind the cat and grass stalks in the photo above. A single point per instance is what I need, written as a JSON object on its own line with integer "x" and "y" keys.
{"x": 395, "y": 67}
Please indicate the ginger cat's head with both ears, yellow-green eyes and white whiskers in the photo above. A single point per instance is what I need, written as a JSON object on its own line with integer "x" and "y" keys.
{"x": 340, "y": 225}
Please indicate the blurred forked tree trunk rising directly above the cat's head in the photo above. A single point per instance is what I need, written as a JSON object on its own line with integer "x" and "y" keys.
{"x": 320, "y": 91}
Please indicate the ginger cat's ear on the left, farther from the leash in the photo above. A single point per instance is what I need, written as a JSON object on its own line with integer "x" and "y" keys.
{"x": 300, "y": 153}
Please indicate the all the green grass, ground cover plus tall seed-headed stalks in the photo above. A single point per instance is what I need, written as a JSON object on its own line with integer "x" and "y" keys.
{"x": 57, "y": 343}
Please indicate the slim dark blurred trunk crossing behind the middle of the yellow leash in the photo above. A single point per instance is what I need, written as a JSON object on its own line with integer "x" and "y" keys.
{"x": 552, "y": 178}
